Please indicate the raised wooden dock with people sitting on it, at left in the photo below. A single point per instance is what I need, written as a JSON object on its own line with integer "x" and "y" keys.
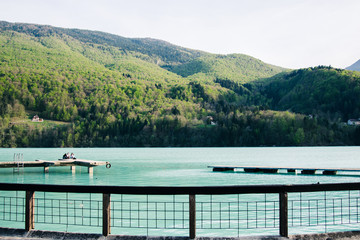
{"x": 46, "y": 164}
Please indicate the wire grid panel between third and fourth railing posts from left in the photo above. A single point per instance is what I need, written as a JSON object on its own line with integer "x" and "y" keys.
{"x": 238, "y": 211}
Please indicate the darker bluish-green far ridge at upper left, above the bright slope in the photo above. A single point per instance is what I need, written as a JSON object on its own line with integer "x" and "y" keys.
{"x": 157, "y": 51}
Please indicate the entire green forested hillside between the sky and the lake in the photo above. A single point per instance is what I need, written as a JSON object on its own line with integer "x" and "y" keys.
{"x": 99, "y": 89}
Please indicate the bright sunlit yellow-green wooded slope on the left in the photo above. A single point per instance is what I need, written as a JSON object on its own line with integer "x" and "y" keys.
{"x": 53, "y": 75}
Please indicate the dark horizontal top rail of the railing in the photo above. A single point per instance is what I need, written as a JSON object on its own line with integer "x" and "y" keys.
{"x": 164, "y": 190}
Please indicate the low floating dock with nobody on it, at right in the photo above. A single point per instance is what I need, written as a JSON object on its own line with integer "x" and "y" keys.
{"x": 266, "y": 169}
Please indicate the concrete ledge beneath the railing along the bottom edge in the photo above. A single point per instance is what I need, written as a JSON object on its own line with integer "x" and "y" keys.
{"x": 11, "y": 233}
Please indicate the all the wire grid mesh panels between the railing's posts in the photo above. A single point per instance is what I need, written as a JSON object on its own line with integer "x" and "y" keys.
{"x": 213, "y": 212}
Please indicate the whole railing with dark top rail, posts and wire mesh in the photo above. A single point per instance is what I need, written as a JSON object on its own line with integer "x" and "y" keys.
{"x": 192, "y": 209}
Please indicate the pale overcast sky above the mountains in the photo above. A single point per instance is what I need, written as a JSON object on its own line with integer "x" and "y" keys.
{"x": 287, "y": 33}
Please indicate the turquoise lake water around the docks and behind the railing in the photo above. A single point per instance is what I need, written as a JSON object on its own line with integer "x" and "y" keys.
{"x": 181, "y": 167}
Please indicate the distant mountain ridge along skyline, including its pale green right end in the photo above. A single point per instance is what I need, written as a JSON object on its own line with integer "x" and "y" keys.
{"x": 182, "y": 61}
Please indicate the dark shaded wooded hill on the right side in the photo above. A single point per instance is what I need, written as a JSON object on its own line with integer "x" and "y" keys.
{"x": 319, "y": 91}
